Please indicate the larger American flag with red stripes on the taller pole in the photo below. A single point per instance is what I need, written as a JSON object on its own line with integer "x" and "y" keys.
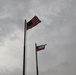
{"x": 33, "y": 22}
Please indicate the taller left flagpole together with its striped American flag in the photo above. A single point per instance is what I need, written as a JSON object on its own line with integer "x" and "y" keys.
{"x": 28, "y": 25}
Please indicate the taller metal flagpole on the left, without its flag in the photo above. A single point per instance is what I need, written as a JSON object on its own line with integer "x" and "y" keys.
{"x": 24, "y": 51}
